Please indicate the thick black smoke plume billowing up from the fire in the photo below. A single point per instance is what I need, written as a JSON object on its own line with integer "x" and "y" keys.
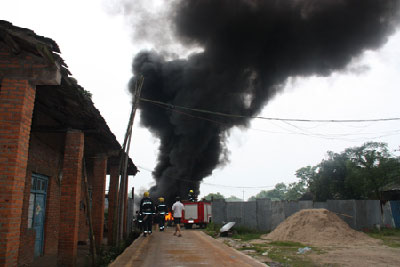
{"x": 250, "y": 48}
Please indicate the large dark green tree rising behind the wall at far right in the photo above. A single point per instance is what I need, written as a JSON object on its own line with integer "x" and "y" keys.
{"x": 356, "y": 173}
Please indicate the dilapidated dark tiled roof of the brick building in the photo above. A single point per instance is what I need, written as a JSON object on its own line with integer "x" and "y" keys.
{"x": 68, "y": 105}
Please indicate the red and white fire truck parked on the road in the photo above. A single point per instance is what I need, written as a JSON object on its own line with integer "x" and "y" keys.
{"x": 198, "y": 213}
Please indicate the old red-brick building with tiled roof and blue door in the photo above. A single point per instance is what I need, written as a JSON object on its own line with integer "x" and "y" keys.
{"x": 49, "y": 129}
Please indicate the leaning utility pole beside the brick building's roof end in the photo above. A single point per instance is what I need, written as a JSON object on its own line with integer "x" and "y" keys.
{"x": 123, "y": 165}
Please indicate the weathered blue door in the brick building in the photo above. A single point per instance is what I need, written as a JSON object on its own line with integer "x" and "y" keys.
{"x": 38, "y": 210}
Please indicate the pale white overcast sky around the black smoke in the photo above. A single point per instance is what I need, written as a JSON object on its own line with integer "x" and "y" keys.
{"x": 98, "y": 43}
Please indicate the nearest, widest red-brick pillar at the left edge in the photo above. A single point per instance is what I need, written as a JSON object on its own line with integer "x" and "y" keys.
{"x": 16, "y": 106}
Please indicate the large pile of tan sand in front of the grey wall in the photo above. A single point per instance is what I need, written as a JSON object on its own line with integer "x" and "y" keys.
{"x": 318, "y": 227}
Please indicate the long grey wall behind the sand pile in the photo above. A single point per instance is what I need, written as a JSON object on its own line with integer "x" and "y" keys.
{"x": 266, "y": 215}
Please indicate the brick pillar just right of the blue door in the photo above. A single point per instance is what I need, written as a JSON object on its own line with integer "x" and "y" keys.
{"x": 70, "y": 198}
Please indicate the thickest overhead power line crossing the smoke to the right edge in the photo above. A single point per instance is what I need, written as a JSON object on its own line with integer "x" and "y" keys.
{"x": 171, "y": 106}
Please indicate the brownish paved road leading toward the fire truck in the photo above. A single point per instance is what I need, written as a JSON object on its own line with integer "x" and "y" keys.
{"x": 194, "y": 248}
